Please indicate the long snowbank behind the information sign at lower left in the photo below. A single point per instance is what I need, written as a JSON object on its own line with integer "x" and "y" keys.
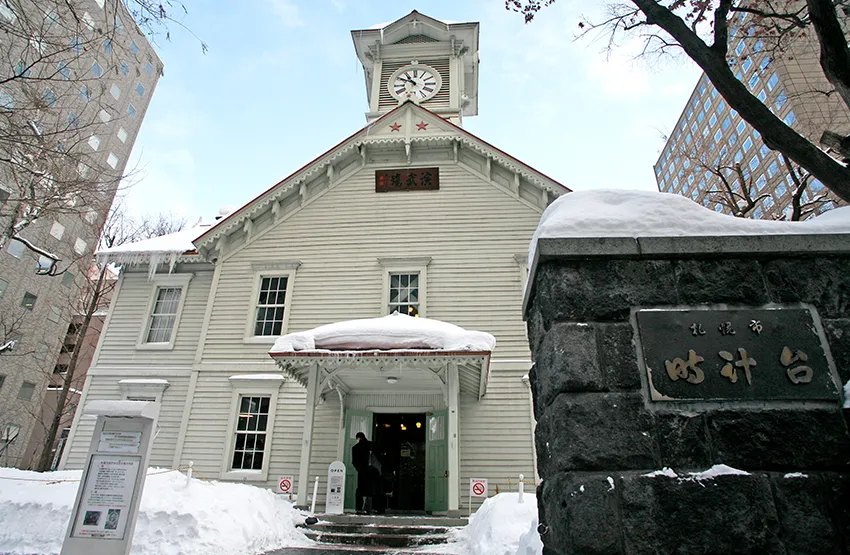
{"x": 205, "y": 518}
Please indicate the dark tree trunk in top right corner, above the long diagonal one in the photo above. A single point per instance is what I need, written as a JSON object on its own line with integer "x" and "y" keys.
{"x": 834, "y": 53}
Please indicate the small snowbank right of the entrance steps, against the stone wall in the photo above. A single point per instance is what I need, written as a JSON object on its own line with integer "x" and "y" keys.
{"x": 501, "y": 526}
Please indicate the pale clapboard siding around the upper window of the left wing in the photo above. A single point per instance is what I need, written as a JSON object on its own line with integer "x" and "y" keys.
{"x": 129, "y": 316}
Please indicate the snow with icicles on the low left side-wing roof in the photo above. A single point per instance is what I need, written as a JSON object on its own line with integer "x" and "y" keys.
{"x": 155, "y": 250}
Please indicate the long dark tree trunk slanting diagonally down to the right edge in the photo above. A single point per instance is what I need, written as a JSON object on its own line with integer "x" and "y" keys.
{"x": 775, "y": 133}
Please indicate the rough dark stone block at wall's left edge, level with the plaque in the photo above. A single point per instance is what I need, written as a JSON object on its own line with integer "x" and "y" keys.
{"x": 567, "y": 362}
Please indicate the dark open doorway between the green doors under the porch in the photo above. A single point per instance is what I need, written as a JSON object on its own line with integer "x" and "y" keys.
{"x": 400, "y": 443}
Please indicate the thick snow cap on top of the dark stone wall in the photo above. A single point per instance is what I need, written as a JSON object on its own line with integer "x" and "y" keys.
{"x": 625, "y": 213}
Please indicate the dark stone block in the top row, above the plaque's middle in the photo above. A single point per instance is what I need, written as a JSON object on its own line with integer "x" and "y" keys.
{"x": 733, "y": 281}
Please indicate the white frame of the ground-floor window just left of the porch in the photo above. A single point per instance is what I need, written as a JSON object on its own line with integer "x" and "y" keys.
{"x": 247, "y": 385}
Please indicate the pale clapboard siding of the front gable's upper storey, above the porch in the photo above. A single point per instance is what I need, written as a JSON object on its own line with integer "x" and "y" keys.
{"x": 470, "y": 229}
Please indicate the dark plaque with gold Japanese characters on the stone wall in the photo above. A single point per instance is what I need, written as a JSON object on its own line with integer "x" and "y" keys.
{"x": 734, "y": 354}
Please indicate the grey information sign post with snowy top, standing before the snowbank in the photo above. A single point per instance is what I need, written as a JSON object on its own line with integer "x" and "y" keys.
{"x": 107, "y": 503}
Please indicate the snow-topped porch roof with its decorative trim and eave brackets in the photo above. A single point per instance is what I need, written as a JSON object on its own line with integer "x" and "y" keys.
{"x": 393, "y": 339}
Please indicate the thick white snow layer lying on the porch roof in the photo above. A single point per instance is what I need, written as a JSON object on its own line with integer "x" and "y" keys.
{"x": 396, "y": 331}
